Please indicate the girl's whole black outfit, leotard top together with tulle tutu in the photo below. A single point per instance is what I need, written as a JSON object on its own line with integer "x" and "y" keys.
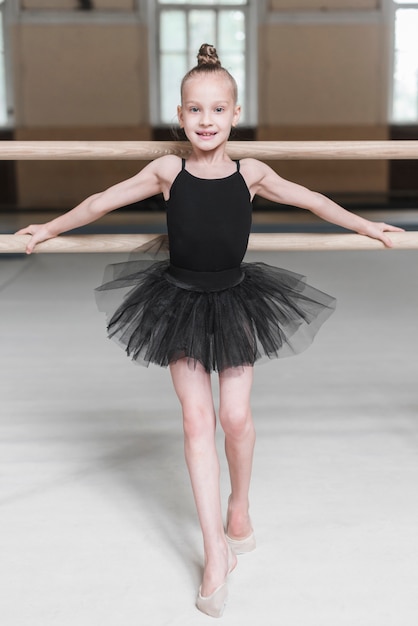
{"x": 205, "y": 303}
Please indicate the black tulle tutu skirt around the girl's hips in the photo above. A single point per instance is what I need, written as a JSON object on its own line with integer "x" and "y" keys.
{"x": 271, "y": 313}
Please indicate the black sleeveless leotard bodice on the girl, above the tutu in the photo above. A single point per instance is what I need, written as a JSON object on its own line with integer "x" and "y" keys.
{"x": 208, "y": 222}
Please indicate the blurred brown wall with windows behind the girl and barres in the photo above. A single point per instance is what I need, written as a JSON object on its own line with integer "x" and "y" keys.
{"x": 110, "y": 70}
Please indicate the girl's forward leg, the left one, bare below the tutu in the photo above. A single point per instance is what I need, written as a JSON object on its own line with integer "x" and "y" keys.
{"x": 193, "y": 388}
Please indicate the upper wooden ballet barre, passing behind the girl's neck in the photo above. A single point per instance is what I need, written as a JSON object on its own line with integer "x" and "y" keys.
{"x": 149, "y": 150}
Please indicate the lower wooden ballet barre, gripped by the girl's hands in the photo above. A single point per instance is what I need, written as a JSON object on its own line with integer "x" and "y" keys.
{"x": 15, "y": 244}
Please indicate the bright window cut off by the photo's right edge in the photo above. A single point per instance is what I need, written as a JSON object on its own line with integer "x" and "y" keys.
{"x": 405, "y": 81}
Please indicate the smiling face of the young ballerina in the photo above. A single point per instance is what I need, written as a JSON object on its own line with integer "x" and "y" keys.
{"x": 208, "y": 110}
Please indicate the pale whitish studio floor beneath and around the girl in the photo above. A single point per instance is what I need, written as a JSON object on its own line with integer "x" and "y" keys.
{"x": 97, "y": 522}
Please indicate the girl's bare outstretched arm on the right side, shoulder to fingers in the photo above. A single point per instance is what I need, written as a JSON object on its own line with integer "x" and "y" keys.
{"x": 269, "y": 185}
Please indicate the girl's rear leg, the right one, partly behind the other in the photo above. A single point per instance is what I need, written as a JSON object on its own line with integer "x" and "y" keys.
{"x": 236, "y": 420}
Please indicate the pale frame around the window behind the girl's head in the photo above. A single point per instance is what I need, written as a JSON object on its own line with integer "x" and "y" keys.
{"x": 250, "y": 10}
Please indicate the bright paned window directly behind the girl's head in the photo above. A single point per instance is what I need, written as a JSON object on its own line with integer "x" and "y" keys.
{"x": 182, "y": 28}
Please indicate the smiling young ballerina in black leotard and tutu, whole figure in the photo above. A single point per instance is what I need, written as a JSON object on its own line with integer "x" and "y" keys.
{"x": 204, "y": 309}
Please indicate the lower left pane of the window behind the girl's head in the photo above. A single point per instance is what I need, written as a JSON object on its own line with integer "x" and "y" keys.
{"x": 173, "y": 68}
